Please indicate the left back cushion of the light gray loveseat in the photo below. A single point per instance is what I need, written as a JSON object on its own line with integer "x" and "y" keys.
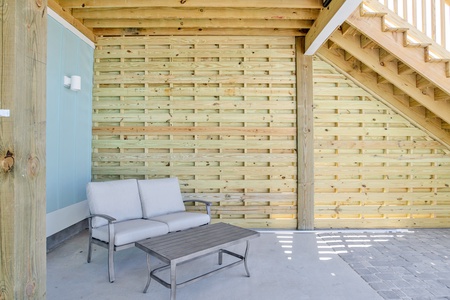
{"x": 118, "y": 199}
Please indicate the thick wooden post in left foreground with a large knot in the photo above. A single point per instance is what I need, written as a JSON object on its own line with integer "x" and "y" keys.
{"x": 23, "y": 54}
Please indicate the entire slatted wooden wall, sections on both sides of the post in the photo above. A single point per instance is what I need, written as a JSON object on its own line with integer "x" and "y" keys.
{"x": 220, "y": 114}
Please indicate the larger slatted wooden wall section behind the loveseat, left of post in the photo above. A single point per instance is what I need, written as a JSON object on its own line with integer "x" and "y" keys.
{"x": 218, "y": 113}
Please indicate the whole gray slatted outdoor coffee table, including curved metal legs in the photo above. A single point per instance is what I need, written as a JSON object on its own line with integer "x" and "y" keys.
{"x": 178, "y": 247}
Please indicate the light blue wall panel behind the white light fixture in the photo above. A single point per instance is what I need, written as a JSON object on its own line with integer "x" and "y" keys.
{"x": 69, "y": 117}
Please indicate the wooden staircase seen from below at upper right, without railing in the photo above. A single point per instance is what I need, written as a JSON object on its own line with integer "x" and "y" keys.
{"x": 406, "y": 69}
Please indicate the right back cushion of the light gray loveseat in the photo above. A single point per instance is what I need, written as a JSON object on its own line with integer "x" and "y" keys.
{"x": 160, "y": 197}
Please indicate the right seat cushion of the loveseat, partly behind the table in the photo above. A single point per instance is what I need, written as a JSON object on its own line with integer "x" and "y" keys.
{"x": 183, "y": 220}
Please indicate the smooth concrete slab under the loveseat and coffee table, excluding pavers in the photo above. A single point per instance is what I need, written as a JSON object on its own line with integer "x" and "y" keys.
{"x": 283, "y": 265}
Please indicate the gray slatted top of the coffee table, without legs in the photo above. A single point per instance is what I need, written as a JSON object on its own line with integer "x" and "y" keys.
{"x": 194, "y": 242}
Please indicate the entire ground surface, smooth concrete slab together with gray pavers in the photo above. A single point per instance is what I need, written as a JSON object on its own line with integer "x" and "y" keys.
{"x": 402, "y": 264}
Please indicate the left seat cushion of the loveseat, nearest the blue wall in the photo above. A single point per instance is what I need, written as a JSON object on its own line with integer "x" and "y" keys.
{"x": 131, "y": 231}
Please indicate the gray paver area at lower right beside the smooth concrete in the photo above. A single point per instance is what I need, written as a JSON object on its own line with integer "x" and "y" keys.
{"x": 409, "y": 264}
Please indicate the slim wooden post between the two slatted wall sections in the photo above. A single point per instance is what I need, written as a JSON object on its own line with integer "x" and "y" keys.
{"x": 305, "y": 136}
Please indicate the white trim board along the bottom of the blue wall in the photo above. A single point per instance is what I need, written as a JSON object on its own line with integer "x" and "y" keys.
{"x": 62, "y": 218}
